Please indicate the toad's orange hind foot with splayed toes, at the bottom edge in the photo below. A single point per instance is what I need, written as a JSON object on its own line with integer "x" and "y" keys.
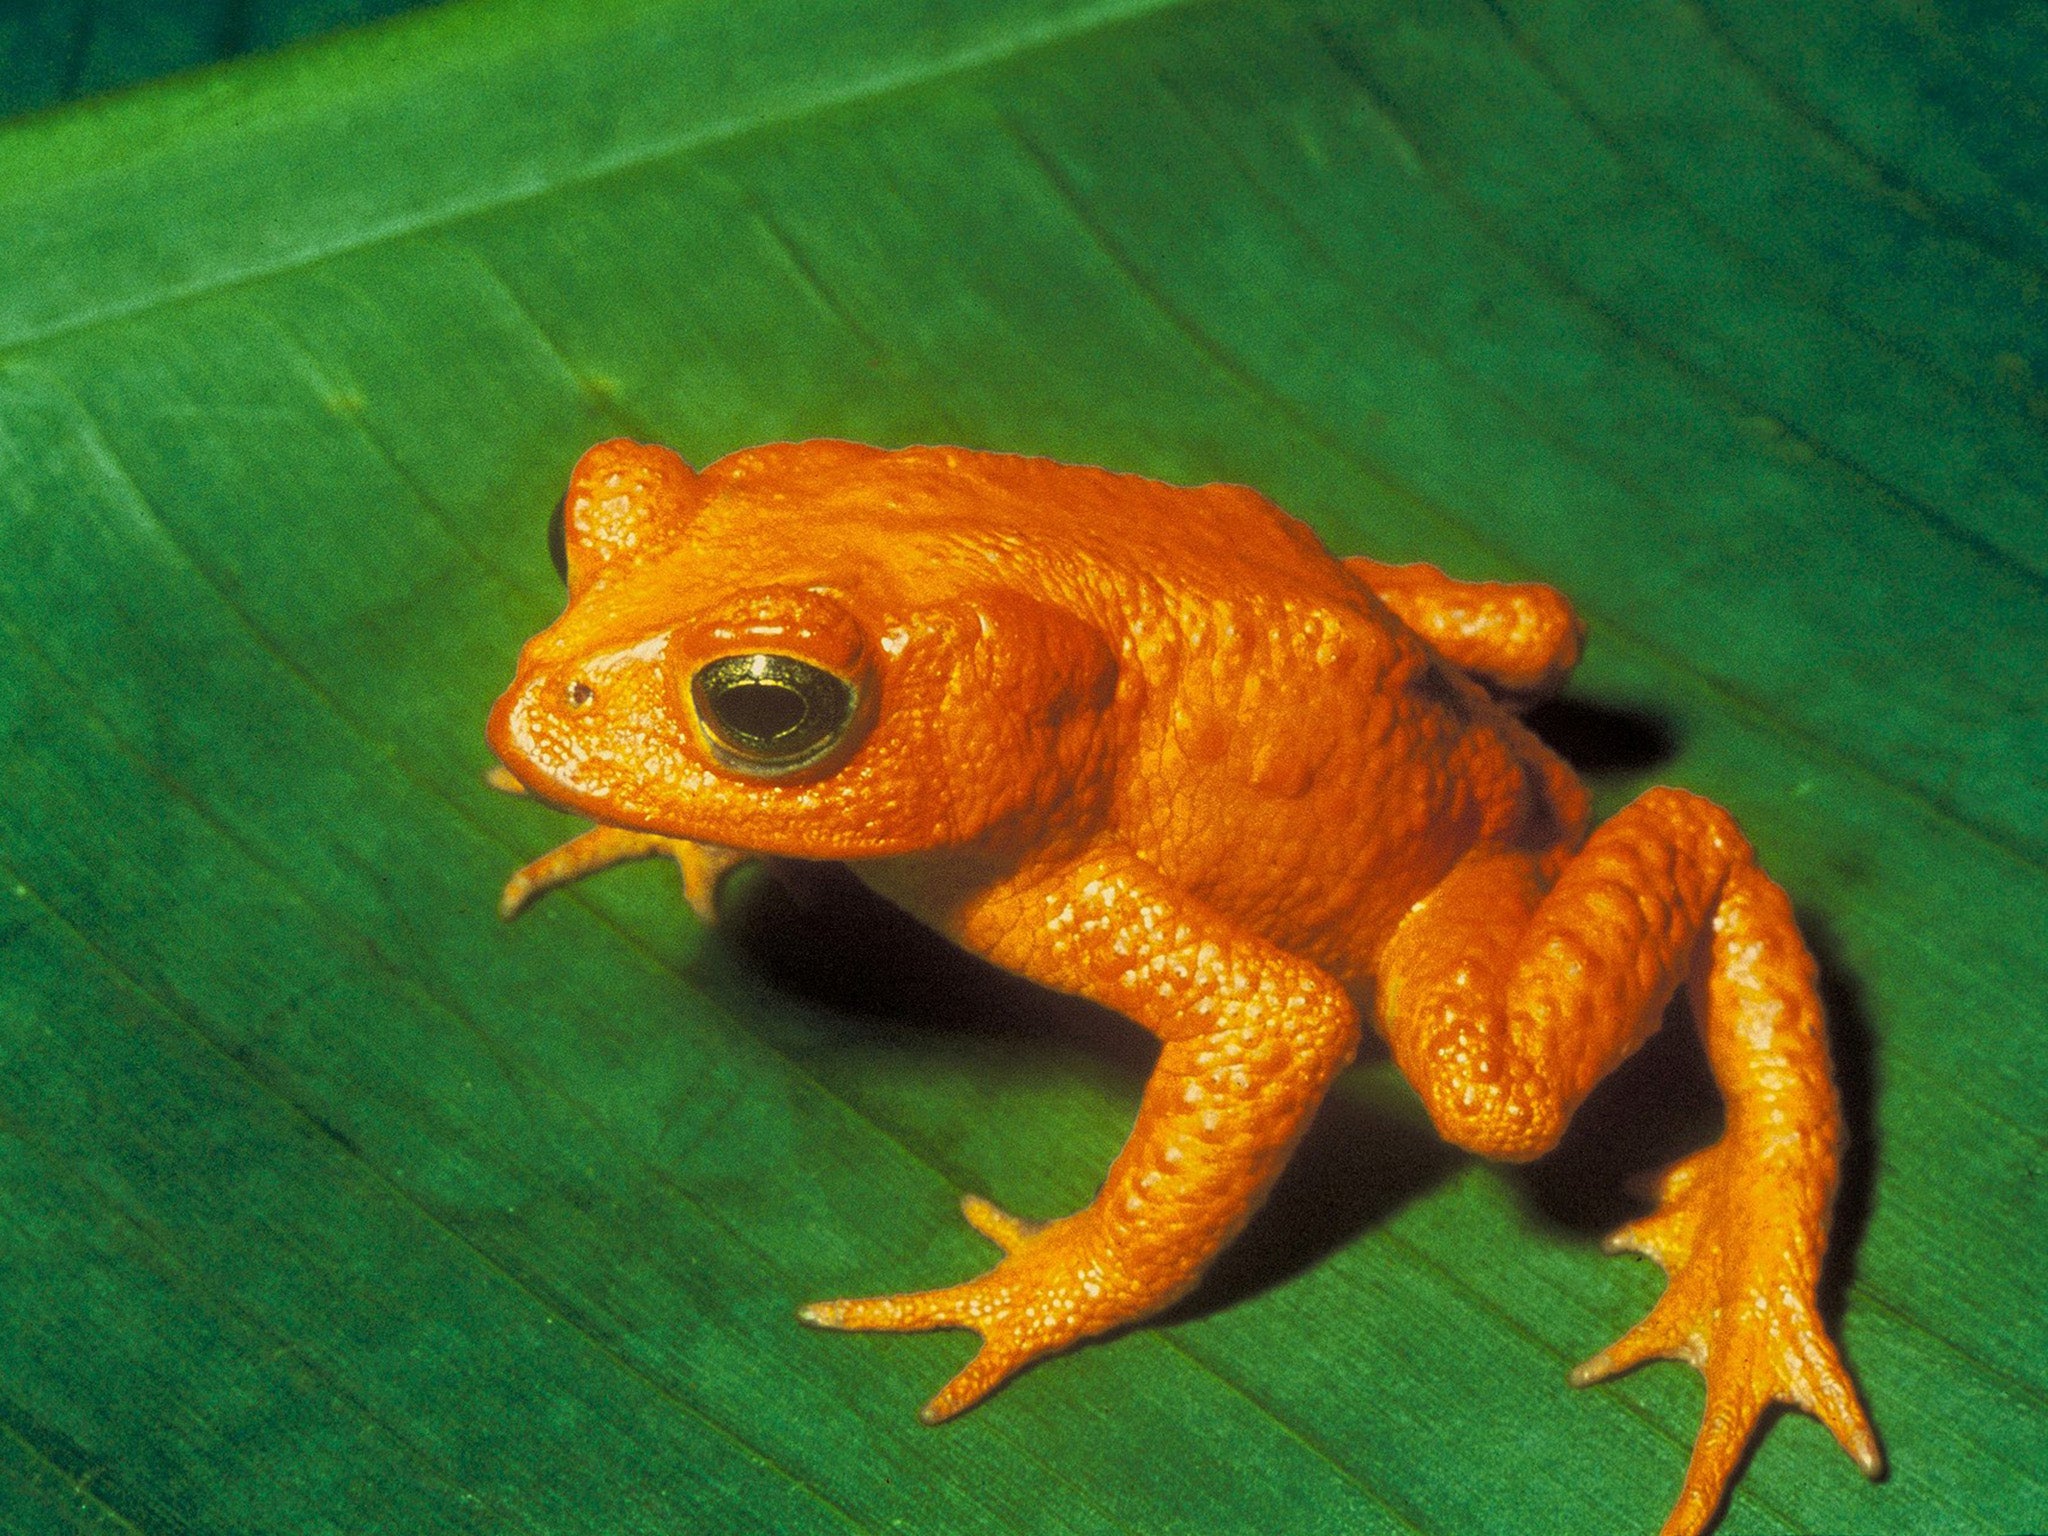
{"x": 1742, "y": 1312}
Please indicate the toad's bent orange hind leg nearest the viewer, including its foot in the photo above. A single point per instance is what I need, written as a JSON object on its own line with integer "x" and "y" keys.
{"x": 1523, "y": 982}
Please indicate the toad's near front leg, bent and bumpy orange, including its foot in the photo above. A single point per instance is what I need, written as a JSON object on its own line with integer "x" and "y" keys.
{"x": 1252, "y": 1043}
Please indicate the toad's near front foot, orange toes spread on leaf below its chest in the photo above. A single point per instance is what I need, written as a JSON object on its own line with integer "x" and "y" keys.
{"x": 1058, "y": 1285}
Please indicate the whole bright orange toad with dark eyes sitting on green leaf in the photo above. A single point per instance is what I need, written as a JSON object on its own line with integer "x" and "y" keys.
{"x": 1154, "y": 746}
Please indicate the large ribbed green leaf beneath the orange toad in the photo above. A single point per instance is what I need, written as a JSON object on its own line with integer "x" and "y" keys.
{"x": 335, "y": 1205}
